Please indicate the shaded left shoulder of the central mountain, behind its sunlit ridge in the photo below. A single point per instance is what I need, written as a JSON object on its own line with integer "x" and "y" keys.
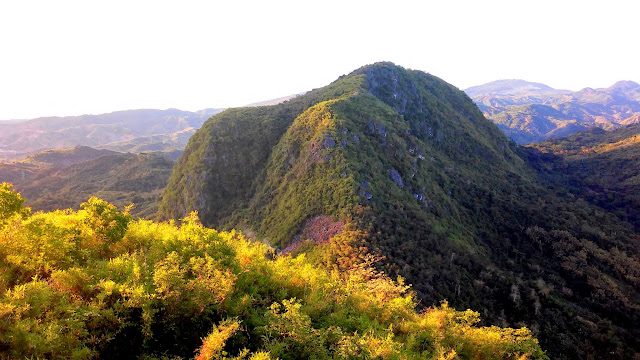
{"x": 225, "y": 161}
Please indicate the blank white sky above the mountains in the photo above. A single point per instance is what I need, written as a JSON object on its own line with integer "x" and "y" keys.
{"x": 76, "y": 57}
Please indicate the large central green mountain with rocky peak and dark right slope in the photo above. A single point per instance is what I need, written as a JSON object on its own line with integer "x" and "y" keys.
{"x": 410, "y": 164}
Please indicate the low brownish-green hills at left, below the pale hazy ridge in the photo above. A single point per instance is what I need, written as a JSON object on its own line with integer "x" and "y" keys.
{"x": 64, "y": 178}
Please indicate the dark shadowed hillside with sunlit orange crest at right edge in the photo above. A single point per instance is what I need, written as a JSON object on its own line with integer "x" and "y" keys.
{"x": 600, "y": 166}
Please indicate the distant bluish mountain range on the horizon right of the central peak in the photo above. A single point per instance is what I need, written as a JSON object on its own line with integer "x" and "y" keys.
{"x": 531, "y": 112}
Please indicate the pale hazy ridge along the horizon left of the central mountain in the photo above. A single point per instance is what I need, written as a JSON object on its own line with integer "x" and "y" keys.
{"x": 129, "y": 131}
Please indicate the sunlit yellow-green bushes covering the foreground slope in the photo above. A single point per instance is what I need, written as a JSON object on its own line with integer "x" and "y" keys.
{"x": 95, "y": 283}
